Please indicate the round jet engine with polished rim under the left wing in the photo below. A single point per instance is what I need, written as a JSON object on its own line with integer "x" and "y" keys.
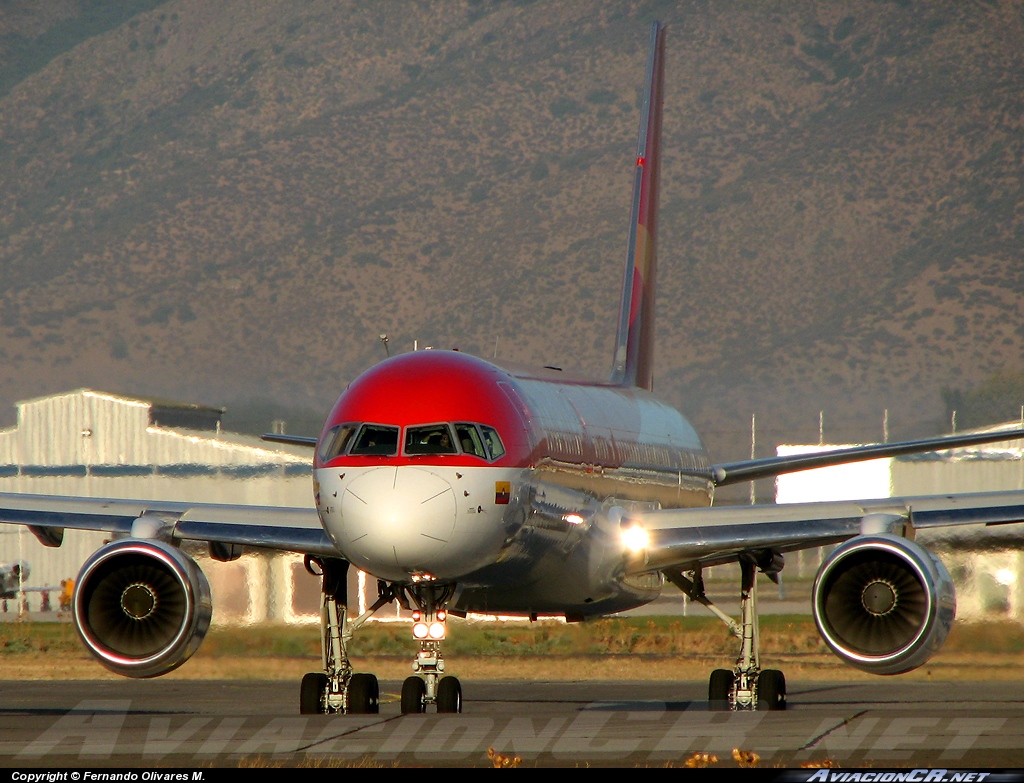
{"x": 142, "y": 607}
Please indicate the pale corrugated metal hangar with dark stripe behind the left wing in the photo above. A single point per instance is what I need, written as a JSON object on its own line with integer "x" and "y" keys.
{"x": 92, "y": 445}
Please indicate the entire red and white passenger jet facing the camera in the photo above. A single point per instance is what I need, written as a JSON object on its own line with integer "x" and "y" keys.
{"x": 464, "y": 487}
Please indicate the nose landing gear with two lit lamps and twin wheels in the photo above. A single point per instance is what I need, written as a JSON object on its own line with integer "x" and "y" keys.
{"x": 428, "y": 686}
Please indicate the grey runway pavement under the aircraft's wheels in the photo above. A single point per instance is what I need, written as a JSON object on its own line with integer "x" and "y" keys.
{"x": 196, "y": 724}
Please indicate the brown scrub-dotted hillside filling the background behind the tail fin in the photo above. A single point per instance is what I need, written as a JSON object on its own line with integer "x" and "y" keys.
{"x": 220, "y": 201}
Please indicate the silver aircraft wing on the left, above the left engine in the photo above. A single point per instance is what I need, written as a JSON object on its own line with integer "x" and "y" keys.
{"x": 292, "y": 530}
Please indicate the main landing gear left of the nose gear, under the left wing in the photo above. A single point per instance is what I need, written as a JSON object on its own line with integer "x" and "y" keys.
{"x": 337, "y": 689}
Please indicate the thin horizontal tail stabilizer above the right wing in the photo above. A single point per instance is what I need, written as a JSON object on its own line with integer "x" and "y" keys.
{"x": 750, "y": 470}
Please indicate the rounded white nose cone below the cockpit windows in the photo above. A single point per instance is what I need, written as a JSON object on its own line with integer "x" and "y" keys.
{"x": 398, "y": 515}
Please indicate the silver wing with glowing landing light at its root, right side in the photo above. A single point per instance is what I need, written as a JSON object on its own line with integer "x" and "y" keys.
{"x": 699, "y": 538}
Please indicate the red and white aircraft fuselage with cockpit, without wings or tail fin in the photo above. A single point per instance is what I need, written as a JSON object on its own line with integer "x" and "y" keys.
{"x": 439, "y": 466}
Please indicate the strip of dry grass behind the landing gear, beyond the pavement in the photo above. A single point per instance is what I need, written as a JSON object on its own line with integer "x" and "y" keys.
{"x": 620, "y": 649}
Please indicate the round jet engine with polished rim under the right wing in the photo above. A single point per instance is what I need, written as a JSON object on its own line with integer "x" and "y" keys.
{"x": 884, "y": 604}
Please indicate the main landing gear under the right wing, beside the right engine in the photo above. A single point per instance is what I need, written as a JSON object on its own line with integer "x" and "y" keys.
{"x": 747, "y": 686}
